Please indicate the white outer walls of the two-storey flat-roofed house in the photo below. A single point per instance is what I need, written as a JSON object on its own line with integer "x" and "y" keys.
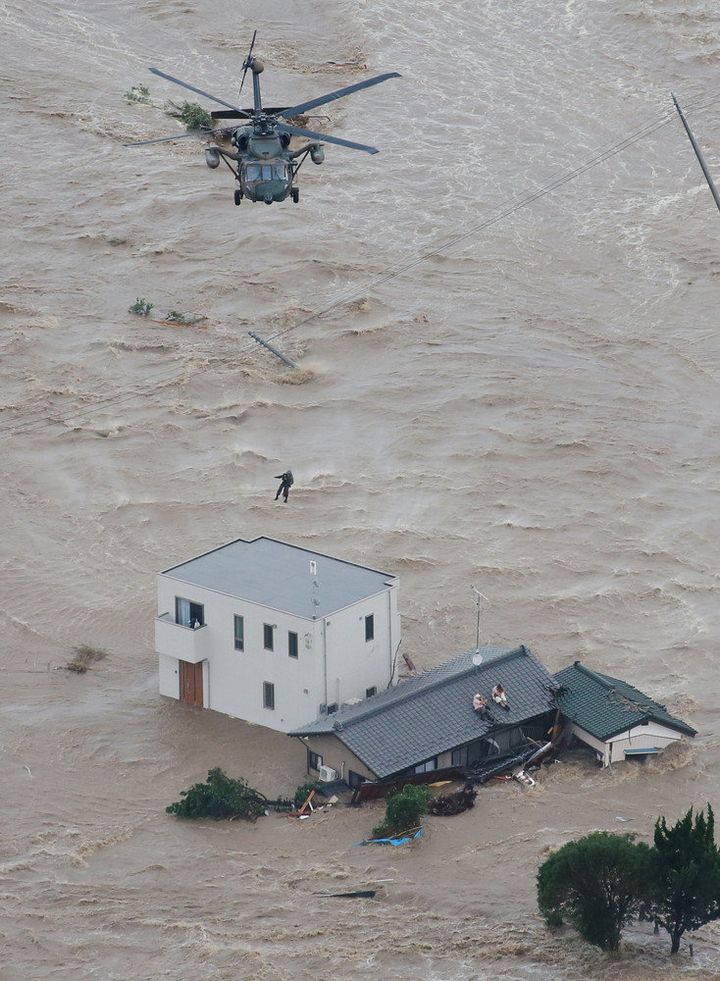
{"x": 233, "y": 680}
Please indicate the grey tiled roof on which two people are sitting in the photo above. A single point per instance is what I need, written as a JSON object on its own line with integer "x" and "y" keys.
{"x": 433, "y": 713}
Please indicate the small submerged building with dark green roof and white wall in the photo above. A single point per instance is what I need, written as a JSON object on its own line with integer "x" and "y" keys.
{"x": 618, "y": 721}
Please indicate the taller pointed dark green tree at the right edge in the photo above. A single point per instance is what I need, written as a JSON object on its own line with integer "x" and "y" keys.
{"x": 686, "y": 865}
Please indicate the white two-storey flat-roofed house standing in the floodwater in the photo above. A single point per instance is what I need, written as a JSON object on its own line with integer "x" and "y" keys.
{"x": 275, "y": 634}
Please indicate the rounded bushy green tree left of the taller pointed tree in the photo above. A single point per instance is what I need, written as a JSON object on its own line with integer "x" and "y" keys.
{"x": 600, "y": 883}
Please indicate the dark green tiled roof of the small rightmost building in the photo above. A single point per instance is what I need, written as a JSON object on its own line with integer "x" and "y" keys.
{"x": 605, "y": 706}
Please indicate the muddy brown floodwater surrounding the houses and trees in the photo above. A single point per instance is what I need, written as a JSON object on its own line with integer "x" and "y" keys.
{"x": 533, "y": 410}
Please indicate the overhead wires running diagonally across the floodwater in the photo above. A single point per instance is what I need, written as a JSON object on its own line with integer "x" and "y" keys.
{"x": 358, "y": 290}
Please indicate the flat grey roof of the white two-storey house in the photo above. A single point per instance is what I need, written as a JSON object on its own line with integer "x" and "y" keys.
{"x": 277, "y": 575}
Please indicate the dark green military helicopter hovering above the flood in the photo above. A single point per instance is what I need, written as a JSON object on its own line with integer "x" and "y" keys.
{"x": 263, "y": 164}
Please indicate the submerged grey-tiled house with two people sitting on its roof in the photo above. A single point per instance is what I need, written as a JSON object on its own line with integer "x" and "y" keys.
{"x": 428, "y": 722}
